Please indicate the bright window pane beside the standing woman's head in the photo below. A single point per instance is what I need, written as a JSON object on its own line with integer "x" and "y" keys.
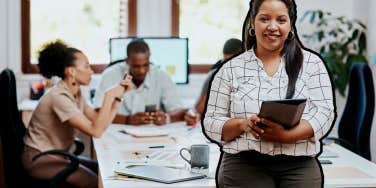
{"x": 208, "y": 24}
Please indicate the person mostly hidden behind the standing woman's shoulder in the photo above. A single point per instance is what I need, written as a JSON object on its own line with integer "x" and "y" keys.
{"x": 231, "y": 47}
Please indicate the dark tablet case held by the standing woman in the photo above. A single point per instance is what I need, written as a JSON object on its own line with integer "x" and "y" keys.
{"x": 286, "y": 112}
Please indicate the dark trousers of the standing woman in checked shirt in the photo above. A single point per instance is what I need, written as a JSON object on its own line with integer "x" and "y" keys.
{"x": 253, "y": 169}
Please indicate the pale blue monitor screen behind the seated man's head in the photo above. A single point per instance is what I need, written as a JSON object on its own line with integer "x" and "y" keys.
{"x": 169, "y": 54}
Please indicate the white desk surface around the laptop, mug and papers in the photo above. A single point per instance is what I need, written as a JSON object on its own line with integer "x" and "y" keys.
{"x": 115, "y": 149}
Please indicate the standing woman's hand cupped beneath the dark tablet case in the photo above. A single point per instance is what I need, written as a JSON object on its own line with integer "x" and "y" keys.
{"x": 275, "y": 132}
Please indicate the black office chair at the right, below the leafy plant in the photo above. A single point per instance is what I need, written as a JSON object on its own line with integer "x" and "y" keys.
{"x": 354, "y": 128}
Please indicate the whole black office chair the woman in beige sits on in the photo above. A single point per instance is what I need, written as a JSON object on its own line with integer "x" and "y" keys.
{"x": 12, "y": 131}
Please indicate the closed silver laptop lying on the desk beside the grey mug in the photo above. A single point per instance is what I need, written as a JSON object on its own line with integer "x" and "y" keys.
{"x": 159, "y": 173}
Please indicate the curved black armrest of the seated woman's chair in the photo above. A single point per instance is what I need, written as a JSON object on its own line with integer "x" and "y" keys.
{"x": 60, "y": 177}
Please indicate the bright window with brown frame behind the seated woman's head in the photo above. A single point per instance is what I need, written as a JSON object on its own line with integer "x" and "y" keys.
{"x": 85, "y": 24}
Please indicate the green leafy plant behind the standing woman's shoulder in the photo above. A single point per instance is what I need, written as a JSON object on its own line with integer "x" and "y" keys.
{"x": 340, "y": 41}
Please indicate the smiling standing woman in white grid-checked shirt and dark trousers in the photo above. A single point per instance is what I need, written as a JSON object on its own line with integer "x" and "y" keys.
{"x": 273, "y": 67}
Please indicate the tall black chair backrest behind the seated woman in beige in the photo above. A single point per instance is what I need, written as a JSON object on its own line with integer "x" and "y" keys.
{"x": 12, "y": 131}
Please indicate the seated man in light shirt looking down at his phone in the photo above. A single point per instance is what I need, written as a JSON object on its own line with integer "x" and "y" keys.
{"x": 151, "y": 87}
